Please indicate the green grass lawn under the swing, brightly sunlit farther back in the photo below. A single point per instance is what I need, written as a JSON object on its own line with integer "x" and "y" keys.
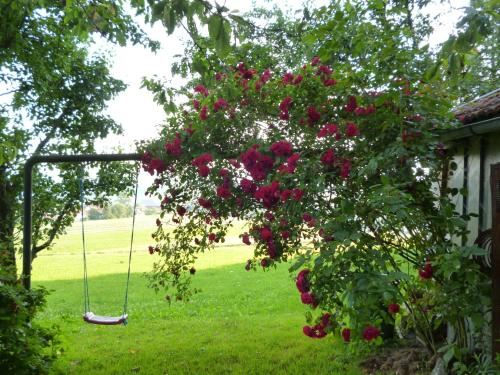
{"x": 241, "y": 323}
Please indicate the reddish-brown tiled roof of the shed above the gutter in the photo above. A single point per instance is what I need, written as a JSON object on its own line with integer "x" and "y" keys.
{"x": 483, "y": 108}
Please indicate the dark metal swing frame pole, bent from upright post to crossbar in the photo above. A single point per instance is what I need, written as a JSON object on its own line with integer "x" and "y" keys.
{"x": 28, "y": 194}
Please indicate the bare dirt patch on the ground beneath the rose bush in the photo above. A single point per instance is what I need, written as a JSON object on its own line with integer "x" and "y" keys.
{"x": 400, "y": 361}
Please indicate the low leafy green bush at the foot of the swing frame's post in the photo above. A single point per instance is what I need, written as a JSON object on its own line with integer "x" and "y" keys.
{"x": 25, "y": 347}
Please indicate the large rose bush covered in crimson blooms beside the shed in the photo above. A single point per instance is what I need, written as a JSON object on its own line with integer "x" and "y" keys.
{"x": 342, "y": 181}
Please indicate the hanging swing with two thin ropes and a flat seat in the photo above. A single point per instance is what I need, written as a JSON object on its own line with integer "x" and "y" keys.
{"x": 88, "y": 316}
